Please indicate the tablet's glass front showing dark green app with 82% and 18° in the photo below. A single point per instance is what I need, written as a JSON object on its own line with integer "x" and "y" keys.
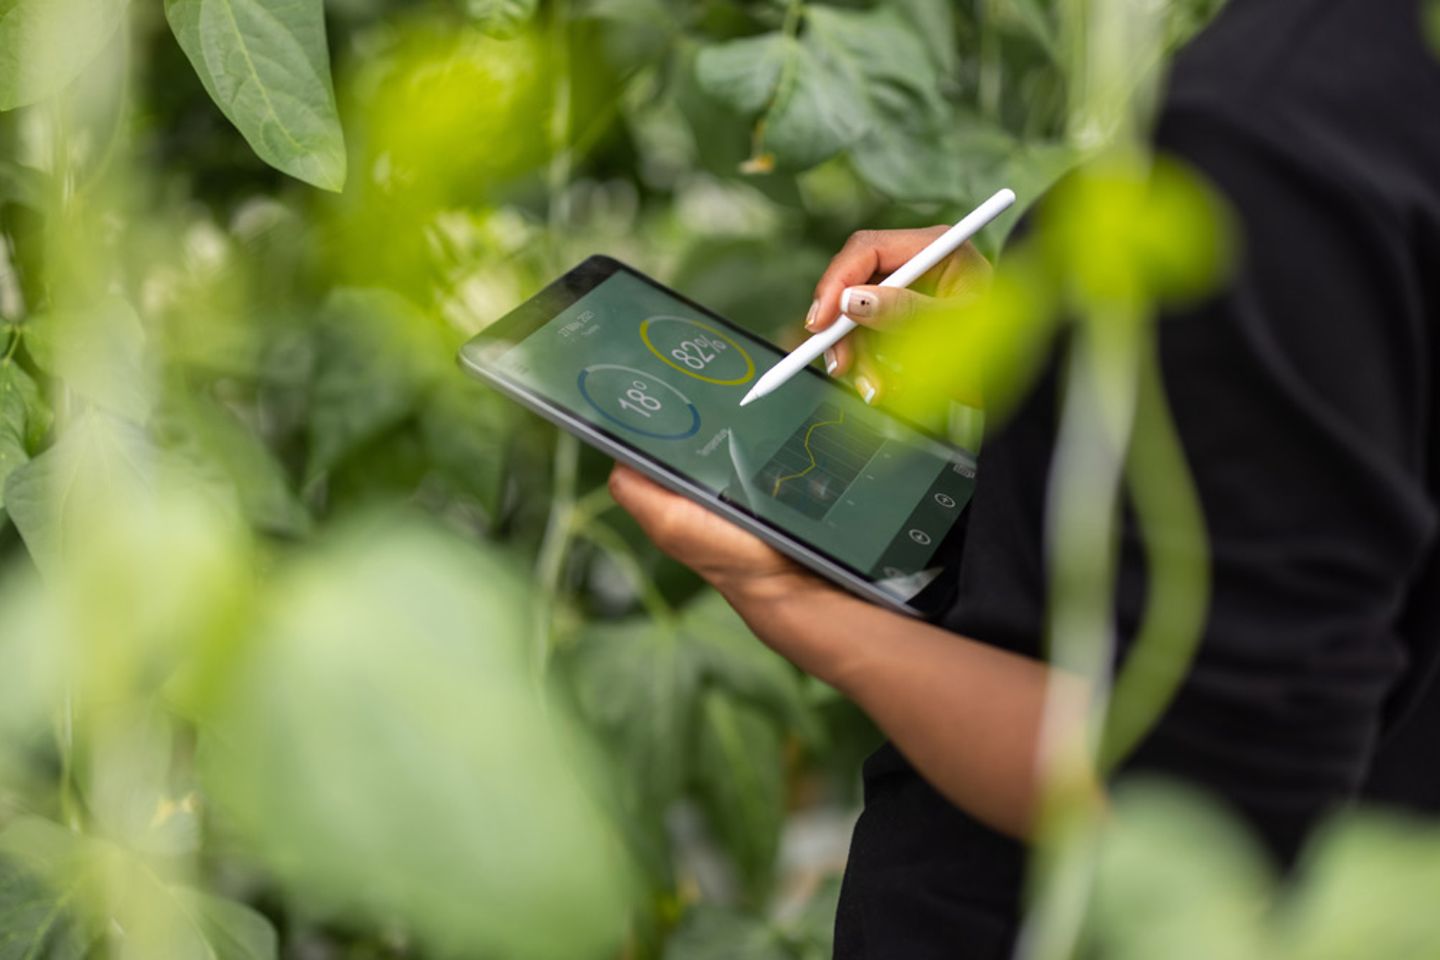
{"x": 811, "y": 458}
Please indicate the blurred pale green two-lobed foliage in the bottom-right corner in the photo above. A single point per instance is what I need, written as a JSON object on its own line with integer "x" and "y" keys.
{"x": 1180, "y": 879}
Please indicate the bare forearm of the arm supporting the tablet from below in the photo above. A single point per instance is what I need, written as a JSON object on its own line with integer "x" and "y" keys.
{"x": 967, "y": 716}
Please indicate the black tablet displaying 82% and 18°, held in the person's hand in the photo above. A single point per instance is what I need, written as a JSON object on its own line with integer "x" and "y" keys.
{"x": 654, "y": 381}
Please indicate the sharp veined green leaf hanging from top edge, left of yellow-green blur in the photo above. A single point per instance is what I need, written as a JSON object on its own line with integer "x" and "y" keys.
{"x": 266, "y": 65}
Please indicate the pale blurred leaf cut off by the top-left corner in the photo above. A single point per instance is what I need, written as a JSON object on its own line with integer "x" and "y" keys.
{"x": 47, "y": 44}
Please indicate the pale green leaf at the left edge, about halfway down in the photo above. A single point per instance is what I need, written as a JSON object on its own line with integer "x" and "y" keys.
{"x": 97, "y": 466}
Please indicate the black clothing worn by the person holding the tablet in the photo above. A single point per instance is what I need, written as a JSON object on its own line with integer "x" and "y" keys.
{"x": 1307, "y": 402}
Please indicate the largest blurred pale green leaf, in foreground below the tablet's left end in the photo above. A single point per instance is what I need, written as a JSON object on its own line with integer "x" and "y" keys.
{"x": 385, "y": 728}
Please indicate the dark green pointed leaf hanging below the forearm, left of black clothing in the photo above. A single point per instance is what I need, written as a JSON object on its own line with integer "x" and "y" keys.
{"x": 739, "y": 774}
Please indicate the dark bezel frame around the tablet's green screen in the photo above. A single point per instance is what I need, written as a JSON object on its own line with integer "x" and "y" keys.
{"x": 479, "y": 358}
